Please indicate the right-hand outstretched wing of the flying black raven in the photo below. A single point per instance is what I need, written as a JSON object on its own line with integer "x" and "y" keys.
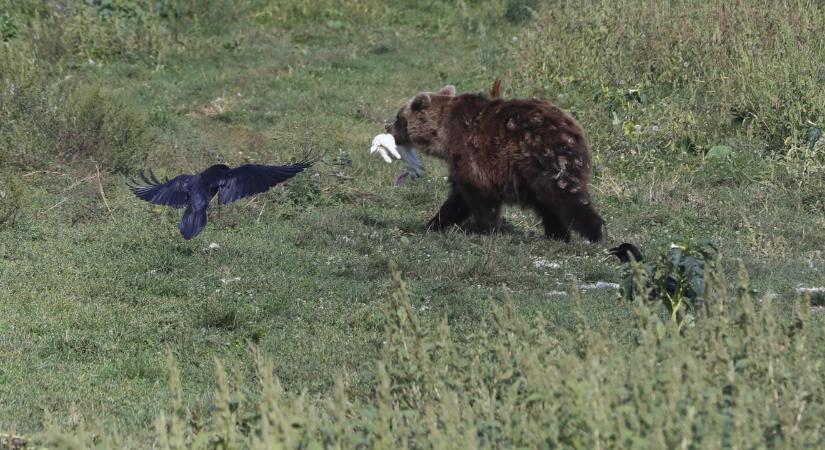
{"x": 251, "y": 179}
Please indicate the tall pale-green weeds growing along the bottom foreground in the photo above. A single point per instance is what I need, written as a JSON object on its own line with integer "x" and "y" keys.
{"x": 747, "y": 375}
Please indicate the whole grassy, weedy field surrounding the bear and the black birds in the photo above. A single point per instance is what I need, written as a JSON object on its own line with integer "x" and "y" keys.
{"x": 706, "y": 131}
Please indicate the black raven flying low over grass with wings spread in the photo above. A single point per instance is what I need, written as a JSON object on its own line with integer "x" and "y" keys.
{"x": 195, "y": 191}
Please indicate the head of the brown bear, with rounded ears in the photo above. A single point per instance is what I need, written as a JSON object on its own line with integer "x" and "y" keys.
{"x": 420, "y": 123}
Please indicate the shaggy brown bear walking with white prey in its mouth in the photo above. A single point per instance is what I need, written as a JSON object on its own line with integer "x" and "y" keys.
{"x": 524, "y": 152}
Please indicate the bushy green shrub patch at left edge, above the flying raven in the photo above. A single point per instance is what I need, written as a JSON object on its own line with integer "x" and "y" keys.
{"x": 46, "y": 124}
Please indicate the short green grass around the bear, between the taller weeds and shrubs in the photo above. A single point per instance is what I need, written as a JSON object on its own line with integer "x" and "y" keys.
{"x": 90, "y": 300}
